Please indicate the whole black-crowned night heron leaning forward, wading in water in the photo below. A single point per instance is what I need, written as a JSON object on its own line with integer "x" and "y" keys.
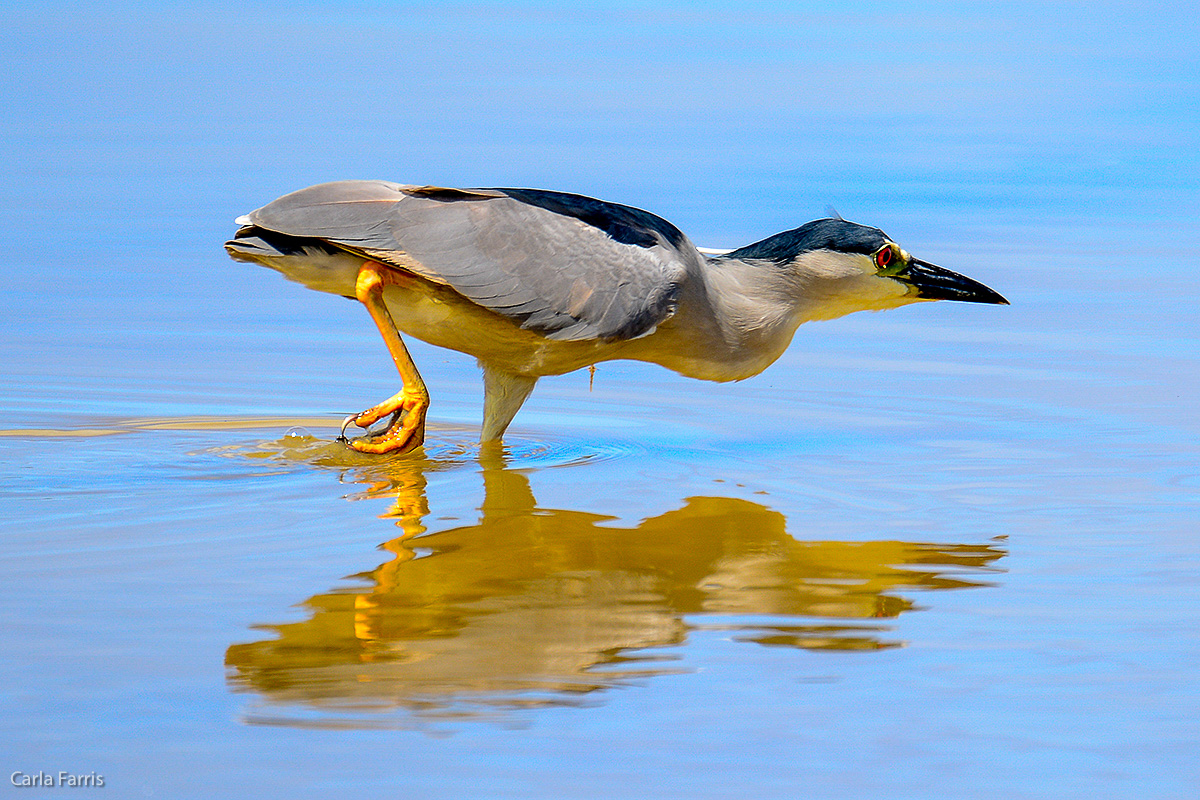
{"x": 541, "y": 284}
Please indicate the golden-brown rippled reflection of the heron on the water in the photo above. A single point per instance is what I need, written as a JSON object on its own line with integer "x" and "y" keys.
{"x": 544, "y": 606}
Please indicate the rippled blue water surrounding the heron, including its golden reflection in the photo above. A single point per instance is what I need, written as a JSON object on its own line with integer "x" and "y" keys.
{"x": 947, "y": 551}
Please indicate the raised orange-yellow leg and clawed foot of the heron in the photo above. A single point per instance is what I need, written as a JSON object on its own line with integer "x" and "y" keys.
{"x": 410, "y": 405}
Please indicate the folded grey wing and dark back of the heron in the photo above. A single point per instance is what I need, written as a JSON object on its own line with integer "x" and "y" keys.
{"x": 568, "y": 267}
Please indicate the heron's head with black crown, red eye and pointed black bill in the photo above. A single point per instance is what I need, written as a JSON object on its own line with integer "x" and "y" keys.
{"x": 841, "y": 267}
